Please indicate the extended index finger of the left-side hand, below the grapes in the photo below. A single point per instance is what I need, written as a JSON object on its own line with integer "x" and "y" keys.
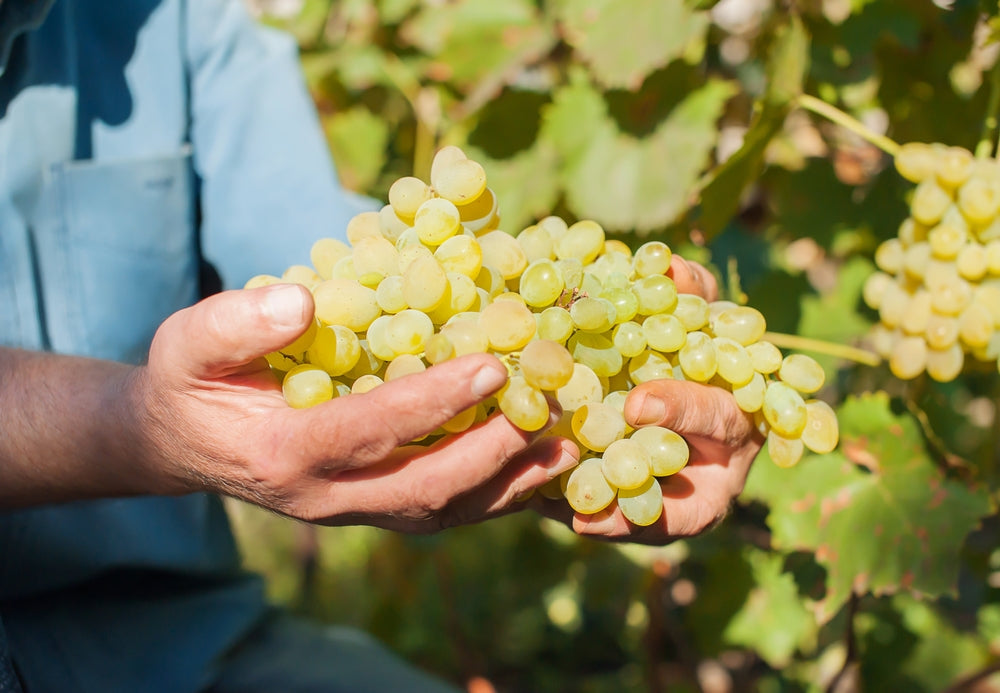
{"x": 373, "y": 424}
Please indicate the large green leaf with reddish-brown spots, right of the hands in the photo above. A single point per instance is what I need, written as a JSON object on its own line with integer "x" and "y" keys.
{"x": 879, "y": 514}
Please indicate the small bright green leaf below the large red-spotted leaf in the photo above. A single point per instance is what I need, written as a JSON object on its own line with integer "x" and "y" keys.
{"x": 774, "y": 621}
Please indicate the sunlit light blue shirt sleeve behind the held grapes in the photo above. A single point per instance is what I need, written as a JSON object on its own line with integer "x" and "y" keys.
{"x": 268, "y": 188}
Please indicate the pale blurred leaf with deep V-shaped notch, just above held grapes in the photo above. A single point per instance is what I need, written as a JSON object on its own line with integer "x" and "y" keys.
{"x": 627, "y": 183}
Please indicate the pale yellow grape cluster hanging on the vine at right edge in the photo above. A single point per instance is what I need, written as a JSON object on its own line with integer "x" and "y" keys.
{"x": 937, "y": 288}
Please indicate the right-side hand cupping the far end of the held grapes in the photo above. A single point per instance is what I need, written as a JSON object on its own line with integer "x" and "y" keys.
{"x": 722, "y": 438}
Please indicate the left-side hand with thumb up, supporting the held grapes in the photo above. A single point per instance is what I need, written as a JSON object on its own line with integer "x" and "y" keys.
{"x": 210, "y": 416}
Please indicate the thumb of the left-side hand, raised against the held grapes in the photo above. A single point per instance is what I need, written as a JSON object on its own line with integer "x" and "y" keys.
{"x": 223, "y": 333}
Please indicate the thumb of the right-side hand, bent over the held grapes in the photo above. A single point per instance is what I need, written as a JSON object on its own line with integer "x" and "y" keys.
{"x": 686, "y": 407}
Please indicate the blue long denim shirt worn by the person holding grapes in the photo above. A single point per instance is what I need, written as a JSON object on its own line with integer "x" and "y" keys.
{"x": 139, "y": 139}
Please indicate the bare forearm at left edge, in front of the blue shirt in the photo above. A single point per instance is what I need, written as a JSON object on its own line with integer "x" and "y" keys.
{"x": 68, "y": 430}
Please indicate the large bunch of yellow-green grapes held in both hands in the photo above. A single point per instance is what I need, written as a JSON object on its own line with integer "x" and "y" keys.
{"x": 575, "y": 316}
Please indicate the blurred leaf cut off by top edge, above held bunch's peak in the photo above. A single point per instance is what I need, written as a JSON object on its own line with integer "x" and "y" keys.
{"x": 479, "y": 41}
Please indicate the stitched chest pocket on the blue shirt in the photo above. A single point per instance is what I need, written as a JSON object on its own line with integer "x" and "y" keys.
{"x": 131, "y": 253}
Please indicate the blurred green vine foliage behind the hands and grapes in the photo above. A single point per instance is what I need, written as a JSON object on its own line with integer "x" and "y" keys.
{"x": 875, "y": 567}
